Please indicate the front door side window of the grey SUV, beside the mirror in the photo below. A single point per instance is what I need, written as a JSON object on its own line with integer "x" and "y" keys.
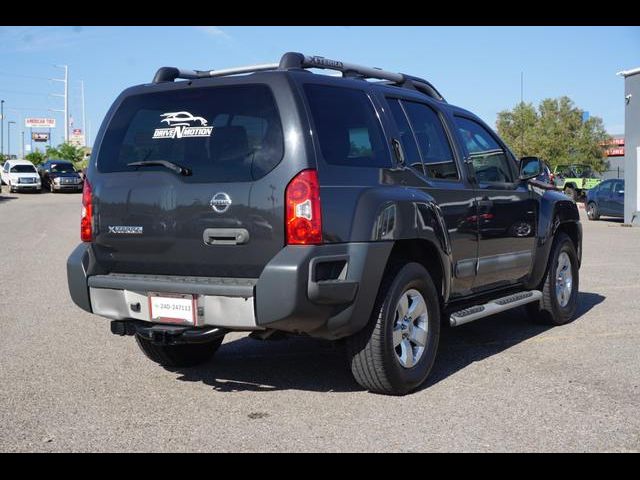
{"x": 490, "y": 161}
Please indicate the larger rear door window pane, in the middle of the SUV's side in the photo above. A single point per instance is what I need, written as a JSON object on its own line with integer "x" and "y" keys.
{"x": 434, "y": 146}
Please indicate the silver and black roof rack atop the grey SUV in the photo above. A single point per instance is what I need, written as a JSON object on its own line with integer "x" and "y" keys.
{"x": 294, "y": 60}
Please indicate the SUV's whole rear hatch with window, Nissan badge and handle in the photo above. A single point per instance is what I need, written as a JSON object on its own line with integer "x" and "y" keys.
{"x": 215, "y": 218}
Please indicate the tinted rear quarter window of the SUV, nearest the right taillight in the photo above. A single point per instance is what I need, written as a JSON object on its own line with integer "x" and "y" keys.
{"x": 347, "y": 126}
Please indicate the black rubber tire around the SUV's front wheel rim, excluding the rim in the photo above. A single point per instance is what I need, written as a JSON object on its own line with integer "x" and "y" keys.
{"x": 549, "y": 310}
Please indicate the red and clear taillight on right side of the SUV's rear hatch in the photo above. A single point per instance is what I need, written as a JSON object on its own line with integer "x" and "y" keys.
{"x": 302, "y": 198}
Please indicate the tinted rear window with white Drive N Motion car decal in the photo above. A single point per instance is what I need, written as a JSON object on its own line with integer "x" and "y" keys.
{"x": 222, "y": 134}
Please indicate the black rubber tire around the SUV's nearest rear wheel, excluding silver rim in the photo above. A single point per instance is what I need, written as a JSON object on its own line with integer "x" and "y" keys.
{"x": 373, "y": 360}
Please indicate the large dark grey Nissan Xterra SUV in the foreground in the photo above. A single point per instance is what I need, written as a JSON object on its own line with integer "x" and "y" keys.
{"x": 333, "y": 207}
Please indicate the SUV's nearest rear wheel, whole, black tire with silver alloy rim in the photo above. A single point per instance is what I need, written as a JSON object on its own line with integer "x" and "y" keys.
{"x": 395, "y": 352}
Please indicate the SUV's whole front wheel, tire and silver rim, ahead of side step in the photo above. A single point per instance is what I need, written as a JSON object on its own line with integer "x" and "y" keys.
{"x": 560, "y": 289}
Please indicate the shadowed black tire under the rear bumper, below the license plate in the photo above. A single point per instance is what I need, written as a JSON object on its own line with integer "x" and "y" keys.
{"x": 187, "y": 355}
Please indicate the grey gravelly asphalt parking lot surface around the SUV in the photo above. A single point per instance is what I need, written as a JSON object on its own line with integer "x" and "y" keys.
{"x": 499, "y": 384}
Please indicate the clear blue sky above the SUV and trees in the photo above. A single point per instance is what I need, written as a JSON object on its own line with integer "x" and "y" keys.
{"x": 475, "y": 67}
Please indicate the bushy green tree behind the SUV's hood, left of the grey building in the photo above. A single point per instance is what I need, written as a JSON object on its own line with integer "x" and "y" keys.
{"x": 556, "y": 132}
